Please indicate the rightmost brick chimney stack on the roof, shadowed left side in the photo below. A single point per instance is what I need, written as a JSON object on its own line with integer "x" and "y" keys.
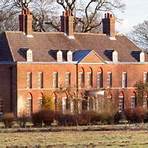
{"x": 109, "y": 25}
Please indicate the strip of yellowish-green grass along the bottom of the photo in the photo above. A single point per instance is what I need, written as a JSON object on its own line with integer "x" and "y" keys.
{"x": 131, "y": 139}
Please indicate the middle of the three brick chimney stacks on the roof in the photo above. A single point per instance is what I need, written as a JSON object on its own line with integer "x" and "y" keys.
{"x": 67, "y": 23}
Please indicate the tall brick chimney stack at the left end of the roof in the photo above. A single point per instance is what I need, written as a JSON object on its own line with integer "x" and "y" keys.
{"x": 25, "y": 21}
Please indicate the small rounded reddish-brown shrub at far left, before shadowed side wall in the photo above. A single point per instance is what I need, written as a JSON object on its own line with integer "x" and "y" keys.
{"x": 8, "y": 119}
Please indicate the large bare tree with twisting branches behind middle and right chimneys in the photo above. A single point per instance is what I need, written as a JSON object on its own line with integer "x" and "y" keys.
{"x": 91, "y": 11}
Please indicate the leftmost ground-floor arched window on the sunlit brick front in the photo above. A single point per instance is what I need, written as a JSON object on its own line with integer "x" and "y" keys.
{"x": 29, "y": 104}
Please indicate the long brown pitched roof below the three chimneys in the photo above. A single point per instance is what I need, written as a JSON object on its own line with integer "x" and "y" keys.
{"x": 42, "y": 43}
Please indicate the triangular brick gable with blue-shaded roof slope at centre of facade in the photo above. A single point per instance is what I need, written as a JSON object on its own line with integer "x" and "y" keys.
{"x": 87, "y": 56}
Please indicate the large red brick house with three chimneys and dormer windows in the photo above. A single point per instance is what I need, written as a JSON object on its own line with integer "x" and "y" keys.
{"x": 33, "y": 64}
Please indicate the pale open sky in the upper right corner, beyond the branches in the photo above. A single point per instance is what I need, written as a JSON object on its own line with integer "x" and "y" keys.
{"x": 136, "y": 12}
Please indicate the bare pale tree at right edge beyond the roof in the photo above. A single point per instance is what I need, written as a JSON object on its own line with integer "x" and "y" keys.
{"x": 139, "y": 35}
